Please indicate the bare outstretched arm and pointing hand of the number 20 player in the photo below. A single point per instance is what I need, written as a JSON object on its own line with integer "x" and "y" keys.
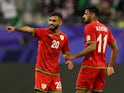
{"x": 19, "y": 28}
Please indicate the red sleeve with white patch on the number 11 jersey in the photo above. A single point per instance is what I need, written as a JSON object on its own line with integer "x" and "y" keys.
{"x": 90, "y": 36}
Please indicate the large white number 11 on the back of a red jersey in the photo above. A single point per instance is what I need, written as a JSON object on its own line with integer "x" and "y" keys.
{"x": 100, "y": 44}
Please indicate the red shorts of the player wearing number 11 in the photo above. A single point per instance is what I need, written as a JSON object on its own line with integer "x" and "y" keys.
{"x": 90, "y": 78}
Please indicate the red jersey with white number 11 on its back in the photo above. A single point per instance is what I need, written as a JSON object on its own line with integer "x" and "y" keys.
{"x": 98, "y": 33}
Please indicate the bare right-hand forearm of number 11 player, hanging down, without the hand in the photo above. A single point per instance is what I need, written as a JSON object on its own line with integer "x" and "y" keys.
{"x": 113, "y": 57}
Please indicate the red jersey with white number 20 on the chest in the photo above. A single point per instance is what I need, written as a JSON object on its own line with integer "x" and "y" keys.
{"x": 49, "y": 48}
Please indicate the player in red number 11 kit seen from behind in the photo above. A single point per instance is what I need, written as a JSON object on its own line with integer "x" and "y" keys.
{"x": 97, "y": 36}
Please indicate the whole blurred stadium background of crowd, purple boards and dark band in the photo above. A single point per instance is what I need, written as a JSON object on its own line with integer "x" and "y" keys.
{"x": 18, "y": 50}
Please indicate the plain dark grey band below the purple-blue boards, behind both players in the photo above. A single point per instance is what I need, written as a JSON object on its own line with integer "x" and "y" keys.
{"x": 19, "y": 78}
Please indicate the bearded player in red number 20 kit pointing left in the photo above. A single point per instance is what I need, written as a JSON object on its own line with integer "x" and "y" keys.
{"x": 51, "y": 41}
